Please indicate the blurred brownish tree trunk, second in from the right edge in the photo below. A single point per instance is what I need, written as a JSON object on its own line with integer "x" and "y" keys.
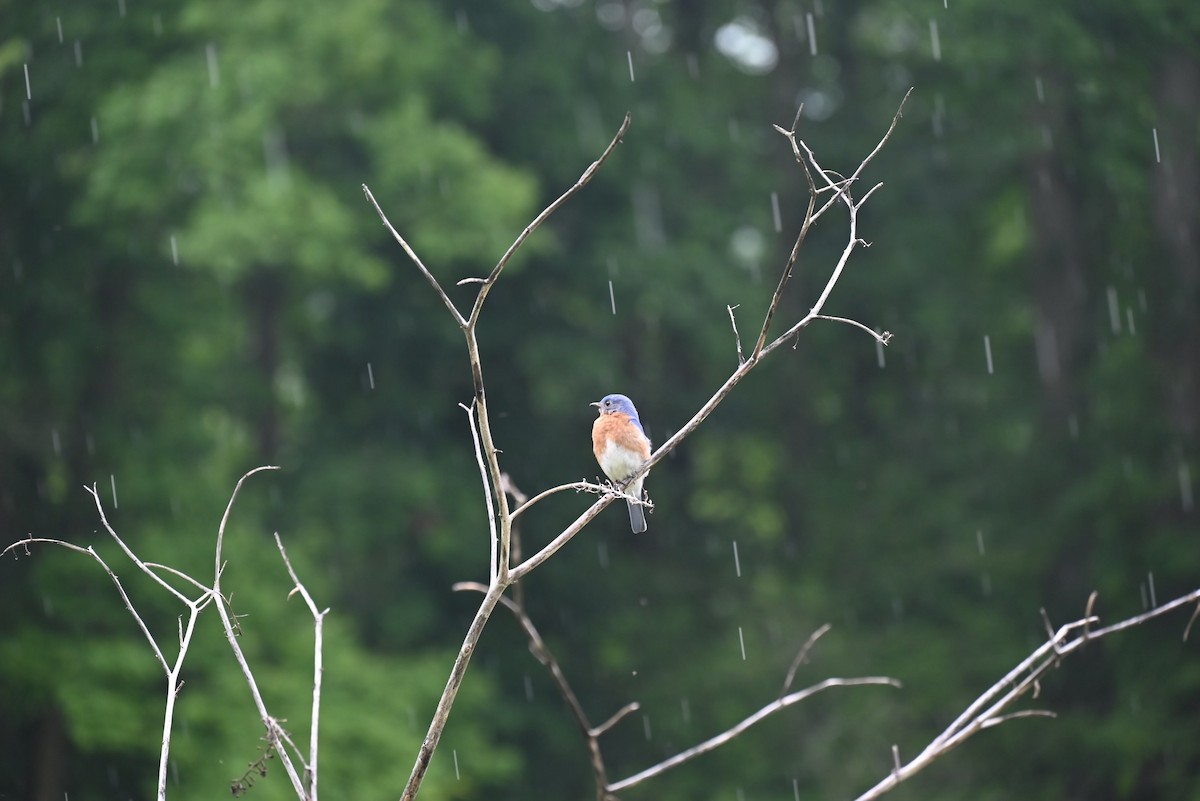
{"x": 1059, "y": 258}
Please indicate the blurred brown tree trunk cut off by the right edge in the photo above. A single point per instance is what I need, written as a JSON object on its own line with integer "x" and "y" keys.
{"x": 1177, "y": 208}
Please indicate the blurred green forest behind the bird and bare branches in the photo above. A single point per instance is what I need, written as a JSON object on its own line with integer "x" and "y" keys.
{"x": 193, "y": 285}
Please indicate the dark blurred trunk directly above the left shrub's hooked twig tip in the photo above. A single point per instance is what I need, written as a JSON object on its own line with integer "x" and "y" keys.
{"x": 265, "y": 308}
